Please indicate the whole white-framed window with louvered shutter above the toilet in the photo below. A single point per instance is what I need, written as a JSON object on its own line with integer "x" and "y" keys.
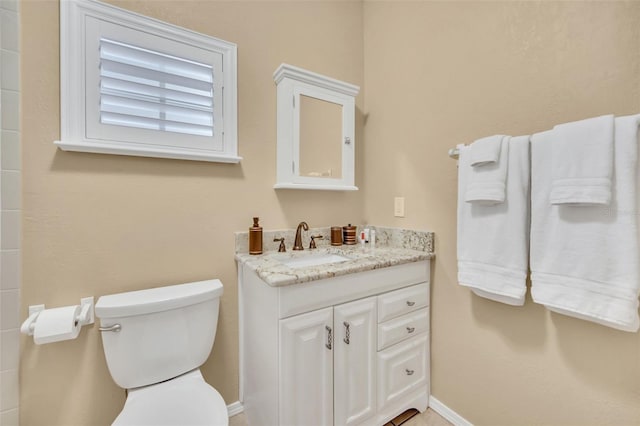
{"x": 132, "y": 85}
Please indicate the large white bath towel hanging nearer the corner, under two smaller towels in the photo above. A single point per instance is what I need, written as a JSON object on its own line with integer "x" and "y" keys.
{"x": 493, "y": 241}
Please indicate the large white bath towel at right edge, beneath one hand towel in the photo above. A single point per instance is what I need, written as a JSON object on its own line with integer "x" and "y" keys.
{"x": 584, "y": 259}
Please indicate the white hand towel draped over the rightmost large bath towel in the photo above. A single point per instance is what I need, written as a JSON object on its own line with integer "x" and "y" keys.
{"x": 582, "y": 161}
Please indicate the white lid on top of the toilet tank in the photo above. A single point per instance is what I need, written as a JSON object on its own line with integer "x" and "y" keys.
{"x": 157, "y": 299}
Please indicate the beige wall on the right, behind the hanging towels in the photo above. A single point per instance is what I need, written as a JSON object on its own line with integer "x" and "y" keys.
{"x": 442, "y": 73}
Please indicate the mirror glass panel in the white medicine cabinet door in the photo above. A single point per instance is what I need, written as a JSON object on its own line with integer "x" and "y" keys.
{"x": 320, "y": 138}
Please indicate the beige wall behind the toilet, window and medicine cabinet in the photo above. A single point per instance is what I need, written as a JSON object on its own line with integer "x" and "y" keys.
{"x": 100, "y": 224}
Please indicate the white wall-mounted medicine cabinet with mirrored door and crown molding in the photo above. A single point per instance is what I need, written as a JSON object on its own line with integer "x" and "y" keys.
{"x": 316, "y": 131}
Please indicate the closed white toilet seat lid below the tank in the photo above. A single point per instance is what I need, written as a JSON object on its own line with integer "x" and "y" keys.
{"x": 185, "y": 400}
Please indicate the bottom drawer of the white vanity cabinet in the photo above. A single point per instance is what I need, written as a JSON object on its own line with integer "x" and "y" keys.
{"x": 402, "y": 369}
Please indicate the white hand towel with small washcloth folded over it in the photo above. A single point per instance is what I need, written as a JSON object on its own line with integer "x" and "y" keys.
{"x": 486, "y": 184}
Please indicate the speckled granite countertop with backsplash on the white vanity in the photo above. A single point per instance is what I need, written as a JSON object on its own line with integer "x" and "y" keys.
{"x": 395, "y": 247}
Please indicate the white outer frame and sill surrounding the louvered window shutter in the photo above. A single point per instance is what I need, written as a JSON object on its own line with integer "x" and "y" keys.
{"x": 74, "y": 70}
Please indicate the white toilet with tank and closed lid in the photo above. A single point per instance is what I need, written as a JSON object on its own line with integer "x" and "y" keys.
{"x": 155, "y": 341}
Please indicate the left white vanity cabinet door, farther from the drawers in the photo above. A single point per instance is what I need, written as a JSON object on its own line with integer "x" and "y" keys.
{"x": 306, "y": 369}
